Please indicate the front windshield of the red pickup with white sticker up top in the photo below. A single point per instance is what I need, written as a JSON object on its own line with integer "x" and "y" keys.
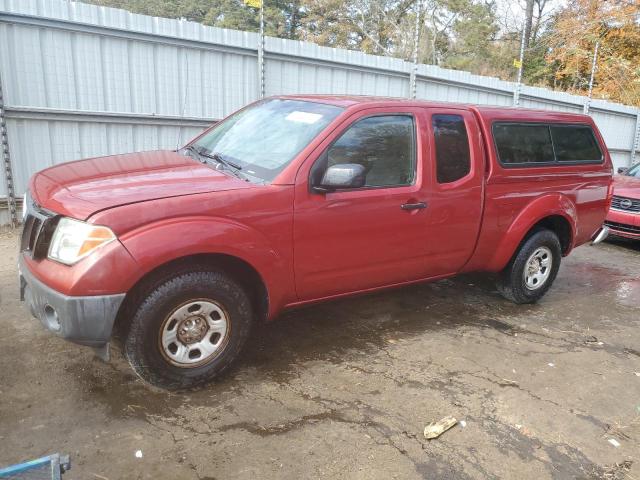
{"x": 263, "y": 139}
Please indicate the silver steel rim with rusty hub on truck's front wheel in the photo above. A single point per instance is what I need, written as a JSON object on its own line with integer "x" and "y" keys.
{"x": 194, "y": 333}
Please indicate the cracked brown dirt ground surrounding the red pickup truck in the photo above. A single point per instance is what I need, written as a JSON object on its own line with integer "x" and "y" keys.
{"x": 345, "y": 389}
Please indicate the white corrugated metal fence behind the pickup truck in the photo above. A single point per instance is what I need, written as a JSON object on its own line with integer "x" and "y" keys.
{"x": 81, "y": 81}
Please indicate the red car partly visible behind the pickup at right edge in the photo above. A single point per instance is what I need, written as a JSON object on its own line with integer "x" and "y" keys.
{"x": 623, "y": 218}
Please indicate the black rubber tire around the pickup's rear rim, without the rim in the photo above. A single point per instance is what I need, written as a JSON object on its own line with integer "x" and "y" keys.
{"x": 511, "y": 281}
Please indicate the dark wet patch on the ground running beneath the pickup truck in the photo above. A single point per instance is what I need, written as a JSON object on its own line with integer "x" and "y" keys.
{"x": 334, "y": 331}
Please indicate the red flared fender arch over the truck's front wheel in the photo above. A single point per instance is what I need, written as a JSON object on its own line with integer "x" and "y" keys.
{"x": 158, "y": 243}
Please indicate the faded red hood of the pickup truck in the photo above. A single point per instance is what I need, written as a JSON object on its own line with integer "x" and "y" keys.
{"x": 80, "y": 189}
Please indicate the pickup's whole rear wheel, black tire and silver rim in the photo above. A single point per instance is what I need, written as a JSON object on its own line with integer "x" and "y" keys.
{"x": 533, "y": 268}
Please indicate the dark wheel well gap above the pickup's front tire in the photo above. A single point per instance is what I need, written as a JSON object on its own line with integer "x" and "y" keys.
{"x": 236, "y": 268}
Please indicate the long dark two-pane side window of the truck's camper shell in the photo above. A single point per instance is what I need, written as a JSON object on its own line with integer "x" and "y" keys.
{"x": 535, "y": 144}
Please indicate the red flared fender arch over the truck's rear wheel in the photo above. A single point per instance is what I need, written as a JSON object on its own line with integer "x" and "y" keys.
{"x": 535, "y": 211}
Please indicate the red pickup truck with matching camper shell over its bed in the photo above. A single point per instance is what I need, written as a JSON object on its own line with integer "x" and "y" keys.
{"x": 298, "y": 199}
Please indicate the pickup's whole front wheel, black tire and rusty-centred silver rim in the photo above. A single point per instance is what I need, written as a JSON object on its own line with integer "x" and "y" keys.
{"x": 189, "y": 329}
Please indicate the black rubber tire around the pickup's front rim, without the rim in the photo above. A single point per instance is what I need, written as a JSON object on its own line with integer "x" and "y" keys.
{"x": 142, "y": 346}
